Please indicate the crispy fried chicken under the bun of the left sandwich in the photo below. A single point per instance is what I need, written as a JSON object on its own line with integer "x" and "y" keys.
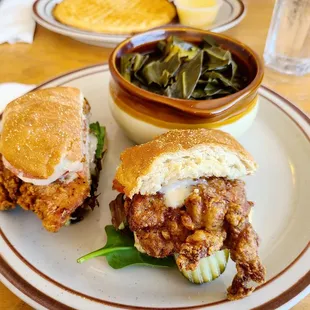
{"x": 54, "y": 203}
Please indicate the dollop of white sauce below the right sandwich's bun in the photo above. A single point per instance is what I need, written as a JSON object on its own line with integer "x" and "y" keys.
{"x": 176, "y": 193}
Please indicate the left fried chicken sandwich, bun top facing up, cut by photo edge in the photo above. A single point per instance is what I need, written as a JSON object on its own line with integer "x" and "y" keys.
{"x": 50, "y": 155}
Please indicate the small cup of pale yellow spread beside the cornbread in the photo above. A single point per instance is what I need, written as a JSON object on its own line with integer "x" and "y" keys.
{"x": 197, "y": 13}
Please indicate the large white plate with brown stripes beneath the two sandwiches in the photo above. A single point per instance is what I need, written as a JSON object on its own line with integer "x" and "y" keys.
{"x": 41, "y": 267}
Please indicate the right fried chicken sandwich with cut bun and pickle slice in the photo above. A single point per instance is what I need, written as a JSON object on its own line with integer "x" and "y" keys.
{"x": 182, "y": 196}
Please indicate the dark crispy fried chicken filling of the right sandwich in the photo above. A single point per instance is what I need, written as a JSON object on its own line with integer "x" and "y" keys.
{"x": 215, "y": 216}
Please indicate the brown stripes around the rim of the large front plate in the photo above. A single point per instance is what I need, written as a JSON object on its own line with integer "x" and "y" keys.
{"x": 44, "y": 300}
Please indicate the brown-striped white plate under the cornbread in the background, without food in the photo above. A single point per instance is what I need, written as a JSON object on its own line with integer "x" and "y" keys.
{"x": 230, "y": 14}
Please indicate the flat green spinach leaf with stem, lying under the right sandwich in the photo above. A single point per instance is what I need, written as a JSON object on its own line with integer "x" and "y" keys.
{"x": 121, "y": 252}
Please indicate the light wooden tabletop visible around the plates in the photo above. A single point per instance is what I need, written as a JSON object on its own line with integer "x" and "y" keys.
{"x": 52, "y": 54}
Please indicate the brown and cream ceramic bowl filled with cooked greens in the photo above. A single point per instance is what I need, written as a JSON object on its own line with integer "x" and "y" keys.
{"x": 180, "y": 77}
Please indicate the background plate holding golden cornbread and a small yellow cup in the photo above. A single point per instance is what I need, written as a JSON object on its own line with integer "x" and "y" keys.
{"x": 107, "y": 23}
